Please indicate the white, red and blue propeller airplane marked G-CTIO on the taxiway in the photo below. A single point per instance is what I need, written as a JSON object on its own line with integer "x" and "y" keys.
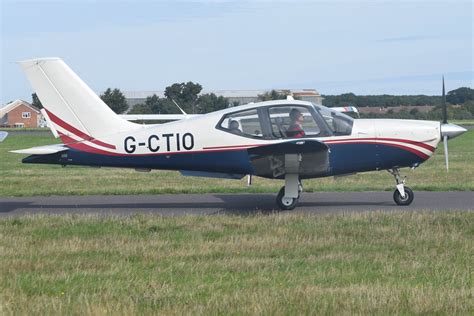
{"x": 281, "y": 139}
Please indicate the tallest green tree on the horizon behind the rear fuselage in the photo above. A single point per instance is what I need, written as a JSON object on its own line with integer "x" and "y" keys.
{"x": 185, "y": 94}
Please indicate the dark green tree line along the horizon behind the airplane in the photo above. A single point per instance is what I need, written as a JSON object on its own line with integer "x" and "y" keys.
{"x": 187, "y": 96}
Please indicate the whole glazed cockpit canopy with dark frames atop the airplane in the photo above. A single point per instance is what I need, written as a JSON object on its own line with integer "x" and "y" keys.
{"x": 287, "y": 121}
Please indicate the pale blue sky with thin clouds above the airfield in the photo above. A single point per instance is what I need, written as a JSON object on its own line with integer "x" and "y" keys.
{"x": 368, "y": 47}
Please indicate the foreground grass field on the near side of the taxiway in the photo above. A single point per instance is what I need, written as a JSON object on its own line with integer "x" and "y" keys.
{"x": 366, "y": 263}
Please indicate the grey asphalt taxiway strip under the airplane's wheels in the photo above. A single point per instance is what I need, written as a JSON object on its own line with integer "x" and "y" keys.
{"x": 243, "y": 204}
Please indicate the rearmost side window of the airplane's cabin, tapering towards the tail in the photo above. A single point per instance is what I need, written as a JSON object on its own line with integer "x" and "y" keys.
{"x": 245, "y": 123}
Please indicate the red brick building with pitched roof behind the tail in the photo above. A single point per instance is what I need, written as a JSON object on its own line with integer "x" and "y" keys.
{"x": 20, "y": 114}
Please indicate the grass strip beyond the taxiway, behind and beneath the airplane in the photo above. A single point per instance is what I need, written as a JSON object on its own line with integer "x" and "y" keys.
{"x": 19, "y": 179}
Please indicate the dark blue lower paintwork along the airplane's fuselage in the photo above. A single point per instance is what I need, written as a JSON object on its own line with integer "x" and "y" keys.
{"x": 343, "y": 159}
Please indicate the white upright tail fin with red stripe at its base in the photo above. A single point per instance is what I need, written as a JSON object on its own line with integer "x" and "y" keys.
{"x": 71, "y": 105}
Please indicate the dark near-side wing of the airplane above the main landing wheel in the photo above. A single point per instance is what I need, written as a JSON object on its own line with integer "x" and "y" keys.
{"x": 307, "y": 158}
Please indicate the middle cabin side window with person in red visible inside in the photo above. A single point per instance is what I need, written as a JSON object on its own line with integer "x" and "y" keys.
{"x": 292, "y": 122}
